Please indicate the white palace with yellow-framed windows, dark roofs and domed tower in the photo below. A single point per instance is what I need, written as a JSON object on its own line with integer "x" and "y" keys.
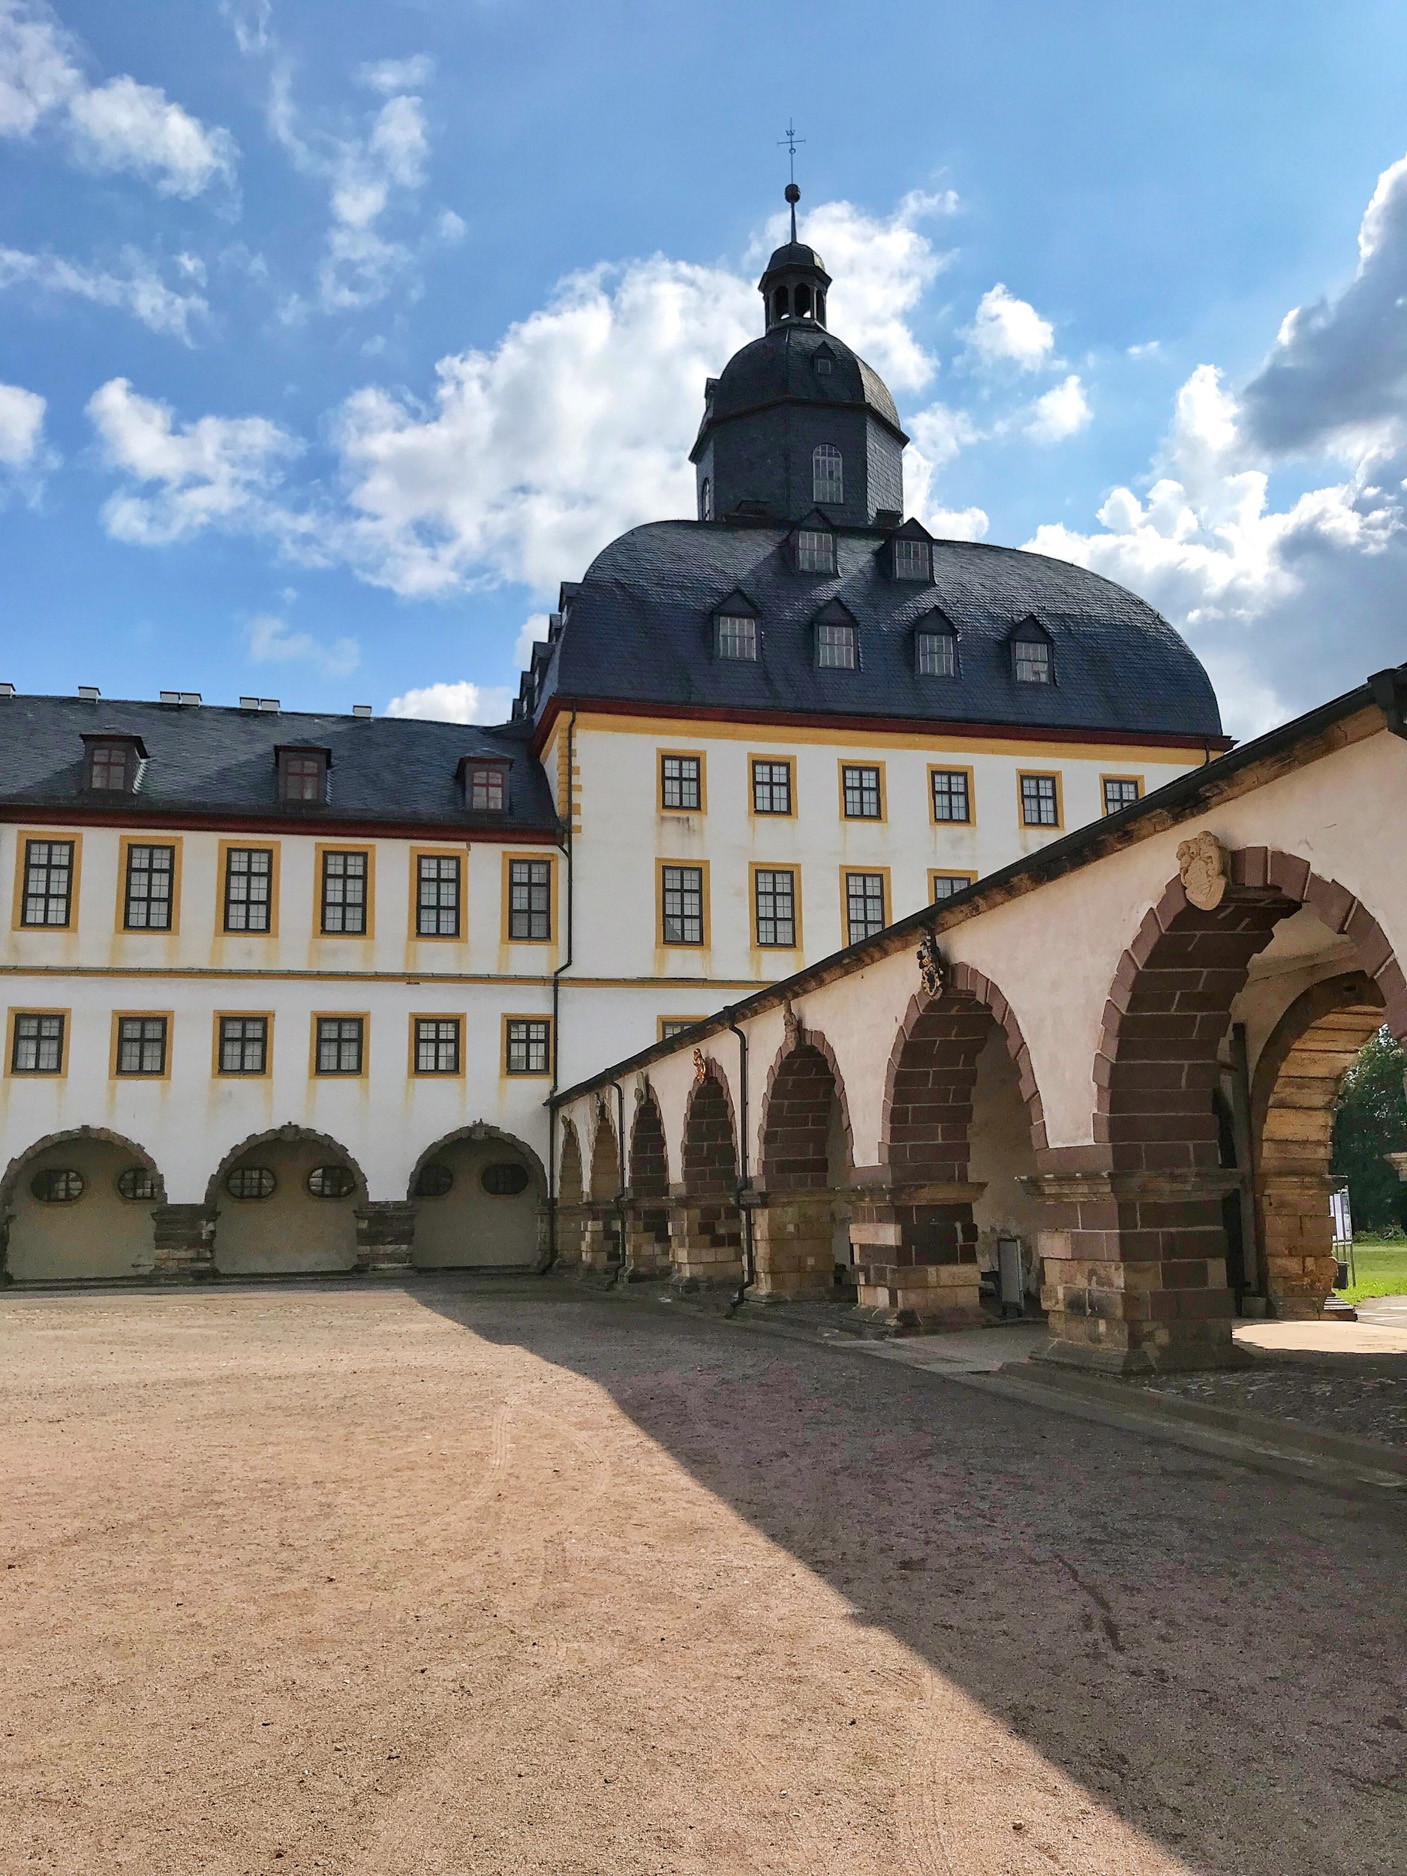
{"x": 292, "y": 991}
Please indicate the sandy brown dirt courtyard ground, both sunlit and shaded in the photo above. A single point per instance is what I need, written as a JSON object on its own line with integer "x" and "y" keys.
{"x": 442, "y": 1581}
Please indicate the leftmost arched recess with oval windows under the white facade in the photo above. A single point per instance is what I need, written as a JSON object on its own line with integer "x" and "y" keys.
{"x": 78, "y": 1205}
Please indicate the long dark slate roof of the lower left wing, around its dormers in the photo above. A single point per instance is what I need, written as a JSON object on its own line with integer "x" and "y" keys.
{"x": 207, "y": 761}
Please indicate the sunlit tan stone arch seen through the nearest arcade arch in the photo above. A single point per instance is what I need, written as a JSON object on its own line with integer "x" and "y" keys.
{"x": 1297, "y": 1080}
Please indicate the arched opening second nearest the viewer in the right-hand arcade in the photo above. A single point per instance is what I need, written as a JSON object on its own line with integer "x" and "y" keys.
{"x": 961, "y": 1110}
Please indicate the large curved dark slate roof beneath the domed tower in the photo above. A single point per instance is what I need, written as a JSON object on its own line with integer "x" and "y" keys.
{"x": 641, "y": 629}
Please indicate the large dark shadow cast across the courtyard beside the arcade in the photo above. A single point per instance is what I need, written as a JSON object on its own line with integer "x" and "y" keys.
{"x": 1213, "y": 1654}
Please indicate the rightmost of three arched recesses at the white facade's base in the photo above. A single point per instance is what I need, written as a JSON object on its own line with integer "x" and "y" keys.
{"x": 481, "y": 1202}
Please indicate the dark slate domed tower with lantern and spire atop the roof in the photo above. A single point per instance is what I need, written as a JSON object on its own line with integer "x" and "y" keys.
{"x": 798, "y": 421}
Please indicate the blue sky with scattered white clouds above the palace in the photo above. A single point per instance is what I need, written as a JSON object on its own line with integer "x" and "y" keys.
{"x": 337, "y": 335}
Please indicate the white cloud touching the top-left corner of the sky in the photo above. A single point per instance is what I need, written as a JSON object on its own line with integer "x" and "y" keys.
{"x": 115, "y": 127}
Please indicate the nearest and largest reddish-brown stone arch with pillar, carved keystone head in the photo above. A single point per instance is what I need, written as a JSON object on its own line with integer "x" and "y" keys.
{"x": 1151, "y": 1290}
